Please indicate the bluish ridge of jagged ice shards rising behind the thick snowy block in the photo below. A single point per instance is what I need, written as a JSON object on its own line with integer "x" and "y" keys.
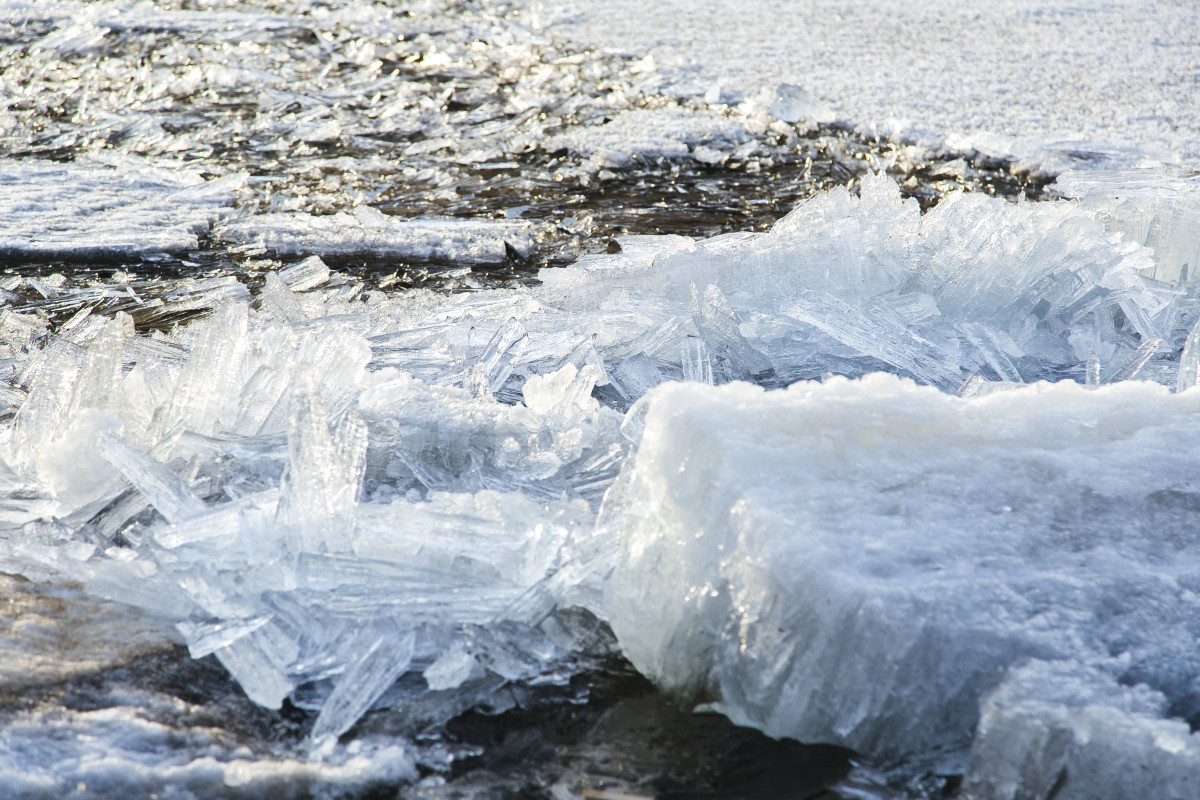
{"x": 849, "y": 285}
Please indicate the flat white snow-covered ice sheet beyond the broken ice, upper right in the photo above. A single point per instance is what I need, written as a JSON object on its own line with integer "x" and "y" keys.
{"x": 1033, "y": 79}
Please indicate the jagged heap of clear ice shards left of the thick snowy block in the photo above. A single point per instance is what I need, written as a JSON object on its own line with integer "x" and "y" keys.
{"x": 254, "y": 440}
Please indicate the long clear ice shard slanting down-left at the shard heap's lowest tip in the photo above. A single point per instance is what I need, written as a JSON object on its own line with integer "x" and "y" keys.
{"x": 363, "y": 684}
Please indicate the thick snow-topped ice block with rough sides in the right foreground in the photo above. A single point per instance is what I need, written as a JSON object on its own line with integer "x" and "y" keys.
{"x": 860, "y": 563}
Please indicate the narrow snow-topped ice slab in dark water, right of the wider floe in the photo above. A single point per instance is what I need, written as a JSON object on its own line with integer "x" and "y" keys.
{"x": 371, "y": 233}
